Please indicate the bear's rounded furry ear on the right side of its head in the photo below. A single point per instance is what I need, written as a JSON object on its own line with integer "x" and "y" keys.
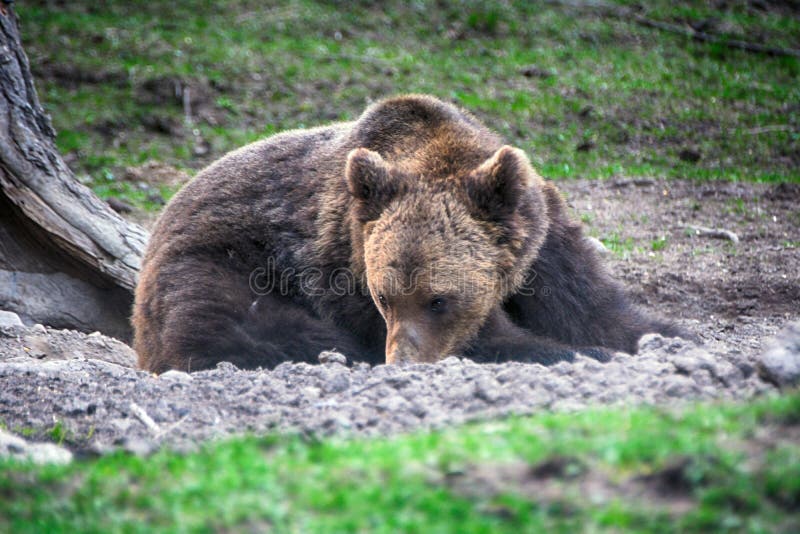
{"x": 497, "y": 185}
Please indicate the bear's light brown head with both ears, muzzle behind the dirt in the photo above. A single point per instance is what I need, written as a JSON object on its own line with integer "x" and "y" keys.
{"x": 439, "y": 251}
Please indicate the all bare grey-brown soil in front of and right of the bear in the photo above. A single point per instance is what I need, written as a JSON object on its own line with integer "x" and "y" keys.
{"x": 733, "y": 296}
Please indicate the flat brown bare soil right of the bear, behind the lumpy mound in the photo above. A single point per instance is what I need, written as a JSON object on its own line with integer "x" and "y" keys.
{"x": 732, "y": 293}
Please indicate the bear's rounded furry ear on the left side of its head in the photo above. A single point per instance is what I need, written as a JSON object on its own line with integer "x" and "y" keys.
{"x": 369, "y": 181}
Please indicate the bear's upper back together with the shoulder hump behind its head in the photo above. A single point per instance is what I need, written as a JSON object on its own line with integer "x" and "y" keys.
{"x": 271, "y": 198}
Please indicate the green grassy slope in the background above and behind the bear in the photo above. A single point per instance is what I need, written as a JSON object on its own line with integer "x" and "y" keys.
{"x": 635, "y": 95}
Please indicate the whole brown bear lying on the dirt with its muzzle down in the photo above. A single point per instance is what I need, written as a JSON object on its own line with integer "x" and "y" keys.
{"x": 408, "y": 235}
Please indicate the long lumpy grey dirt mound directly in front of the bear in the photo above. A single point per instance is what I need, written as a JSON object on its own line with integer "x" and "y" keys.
{"x": 101, "y": 405}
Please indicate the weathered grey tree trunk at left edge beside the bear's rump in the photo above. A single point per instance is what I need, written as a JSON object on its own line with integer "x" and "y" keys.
{"x": 66, "y": 259}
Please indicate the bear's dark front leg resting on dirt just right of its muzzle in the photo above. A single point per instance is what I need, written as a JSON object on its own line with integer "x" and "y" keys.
{"x": 500, "y": 340}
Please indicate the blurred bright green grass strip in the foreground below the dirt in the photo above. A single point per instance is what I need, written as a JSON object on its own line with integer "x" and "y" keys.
{"x": 741, "y": 472}
